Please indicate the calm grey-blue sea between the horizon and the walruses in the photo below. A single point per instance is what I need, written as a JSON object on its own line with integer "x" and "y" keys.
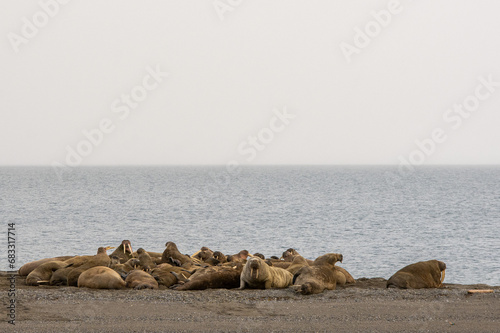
{"x": 380, "y": 221}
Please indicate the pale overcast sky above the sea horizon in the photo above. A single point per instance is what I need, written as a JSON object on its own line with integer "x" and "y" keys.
{"x": 253, "y": 81}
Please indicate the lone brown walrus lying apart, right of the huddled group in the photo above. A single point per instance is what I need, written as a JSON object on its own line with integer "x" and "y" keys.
{"x": 423, "y": 274}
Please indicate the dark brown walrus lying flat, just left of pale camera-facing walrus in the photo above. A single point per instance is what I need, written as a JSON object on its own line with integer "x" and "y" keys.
{"x": 213, "y": 278}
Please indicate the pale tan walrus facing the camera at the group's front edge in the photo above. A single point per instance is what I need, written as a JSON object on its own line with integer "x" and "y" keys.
{"x": 257, "y": 274}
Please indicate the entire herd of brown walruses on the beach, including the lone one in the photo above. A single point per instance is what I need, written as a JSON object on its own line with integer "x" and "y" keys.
{"x": 207, "y": 269}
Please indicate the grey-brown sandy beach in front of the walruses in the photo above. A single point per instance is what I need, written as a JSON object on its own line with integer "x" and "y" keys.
{"x": 366, "y": 306}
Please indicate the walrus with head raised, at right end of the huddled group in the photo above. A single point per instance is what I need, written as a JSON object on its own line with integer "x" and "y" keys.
{"x": 318, "y": 277}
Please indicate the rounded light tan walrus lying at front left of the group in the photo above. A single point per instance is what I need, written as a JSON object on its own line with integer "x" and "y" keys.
{"x": 100, "y": 277}
